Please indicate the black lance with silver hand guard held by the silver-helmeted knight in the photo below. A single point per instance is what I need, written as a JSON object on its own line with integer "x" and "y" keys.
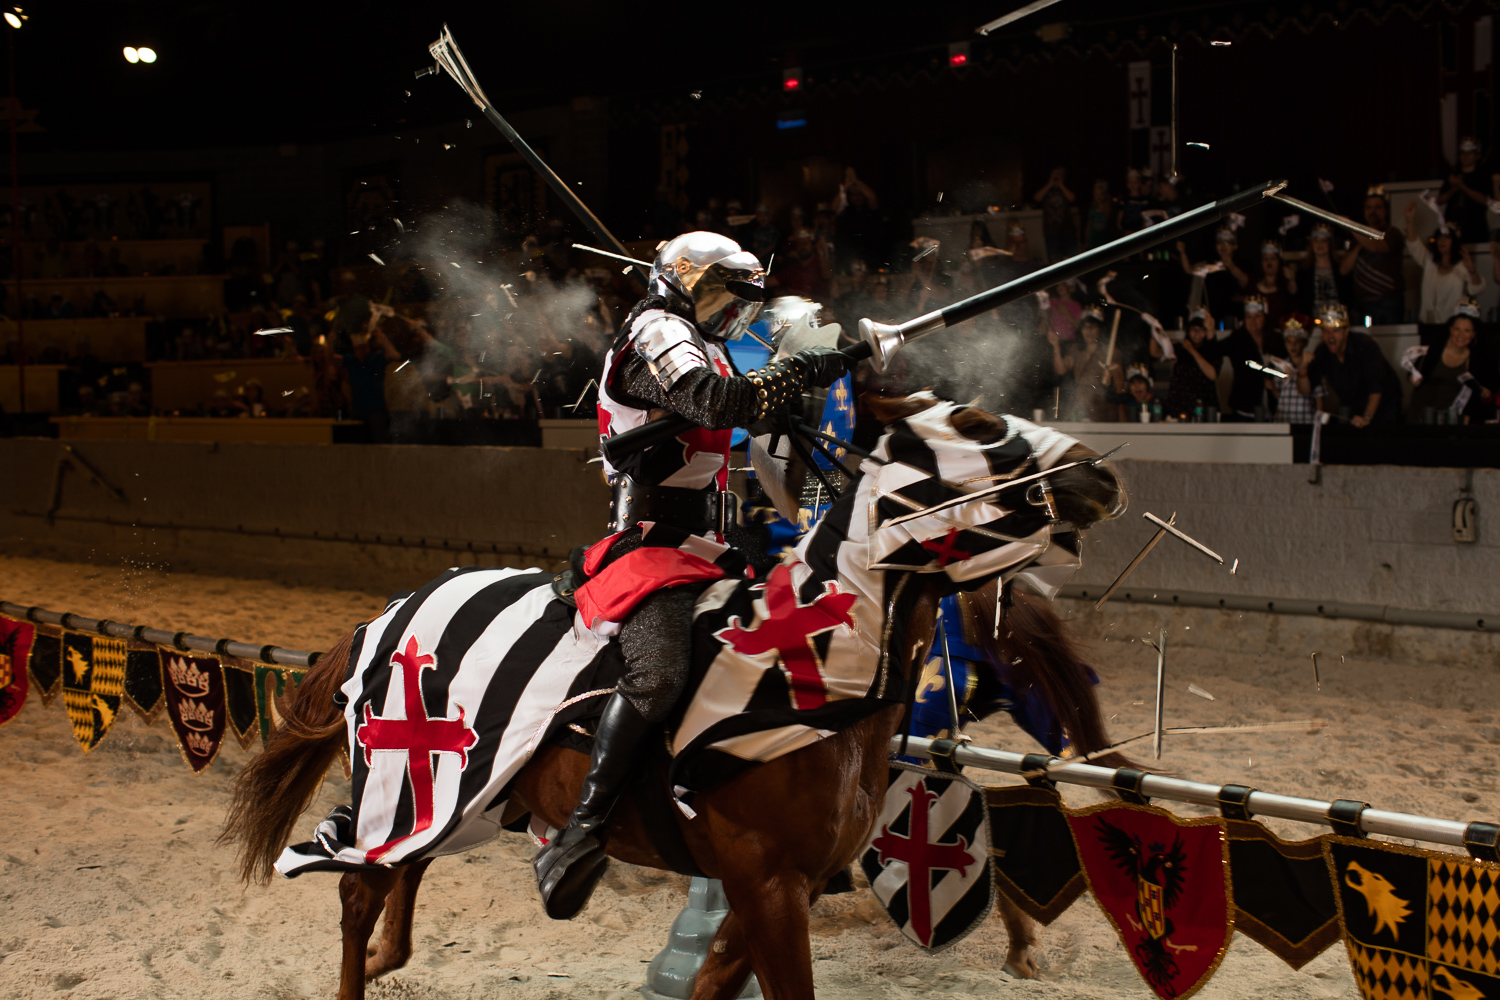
{"x": 881, "y": 341}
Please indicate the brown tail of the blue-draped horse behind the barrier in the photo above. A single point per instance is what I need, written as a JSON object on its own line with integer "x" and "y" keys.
{"x": 1039, "y": 653}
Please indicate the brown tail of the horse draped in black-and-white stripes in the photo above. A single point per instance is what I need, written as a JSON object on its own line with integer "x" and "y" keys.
{"x": 278, "y": 785}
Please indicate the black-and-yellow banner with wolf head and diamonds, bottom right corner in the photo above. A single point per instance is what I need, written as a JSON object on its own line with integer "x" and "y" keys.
{"x": 1418, "y": 924}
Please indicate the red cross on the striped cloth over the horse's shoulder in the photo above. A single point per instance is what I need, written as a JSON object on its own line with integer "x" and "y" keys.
{"x": 790, "y": 629}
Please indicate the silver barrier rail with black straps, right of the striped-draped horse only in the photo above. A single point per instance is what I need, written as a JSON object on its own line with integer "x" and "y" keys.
{"x": 1235, "y": 801}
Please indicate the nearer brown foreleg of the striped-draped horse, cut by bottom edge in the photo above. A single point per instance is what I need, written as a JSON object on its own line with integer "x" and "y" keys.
{"x": 775, "y": 926}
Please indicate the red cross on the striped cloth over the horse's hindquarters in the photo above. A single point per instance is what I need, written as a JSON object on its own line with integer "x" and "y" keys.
{"x": 418, "y": 737}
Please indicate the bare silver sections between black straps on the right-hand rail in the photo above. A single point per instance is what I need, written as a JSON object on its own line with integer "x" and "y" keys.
{"x": 1288, "y": 807}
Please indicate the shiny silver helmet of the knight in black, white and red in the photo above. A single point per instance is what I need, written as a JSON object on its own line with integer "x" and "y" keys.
{"x": 724, "y": 284}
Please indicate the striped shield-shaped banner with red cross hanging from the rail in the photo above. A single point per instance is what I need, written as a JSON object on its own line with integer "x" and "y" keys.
{"x": 929, "y": 861}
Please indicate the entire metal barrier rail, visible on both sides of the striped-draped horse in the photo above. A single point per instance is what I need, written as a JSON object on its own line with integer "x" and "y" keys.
{"x": 1237, "y": 801}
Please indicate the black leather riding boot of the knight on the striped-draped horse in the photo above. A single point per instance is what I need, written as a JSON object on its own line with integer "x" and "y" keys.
{"x": 571, "y": 866}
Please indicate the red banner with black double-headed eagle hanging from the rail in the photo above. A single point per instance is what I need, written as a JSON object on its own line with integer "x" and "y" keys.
{"x": 1163, "y": 882}
